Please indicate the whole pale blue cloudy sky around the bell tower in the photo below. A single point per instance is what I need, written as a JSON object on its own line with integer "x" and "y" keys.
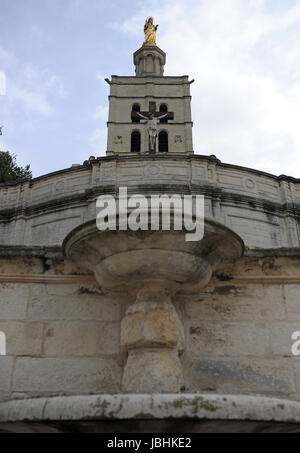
{"x": 243, "y": 54}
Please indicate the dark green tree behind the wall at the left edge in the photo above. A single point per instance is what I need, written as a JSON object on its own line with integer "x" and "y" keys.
{"x": 10, "y": 171}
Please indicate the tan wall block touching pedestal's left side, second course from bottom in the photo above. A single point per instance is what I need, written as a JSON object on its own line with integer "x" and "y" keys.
{"x": 81, "y": 339}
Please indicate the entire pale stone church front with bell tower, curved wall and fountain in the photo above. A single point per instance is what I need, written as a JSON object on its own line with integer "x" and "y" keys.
{"x": 138, "y": 327}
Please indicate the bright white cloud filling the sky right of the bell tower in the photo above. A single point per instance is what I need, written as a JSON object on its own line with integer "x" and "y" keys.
{"x": 245, "y": 57}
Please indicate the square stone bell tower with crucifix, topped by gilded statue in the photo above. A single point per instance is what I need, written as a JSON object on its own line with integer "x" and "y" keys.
{"x": 135, "y": 100}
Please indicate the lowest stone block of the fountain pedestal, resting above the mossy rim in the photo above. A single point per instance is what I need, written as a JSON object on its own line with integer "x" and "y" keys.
{"x": 153, "y": 371}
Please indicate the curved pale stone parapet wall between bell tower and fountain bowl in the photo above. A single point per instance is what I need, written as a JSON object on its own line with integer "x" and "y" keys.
{"x": 263, "y": 209}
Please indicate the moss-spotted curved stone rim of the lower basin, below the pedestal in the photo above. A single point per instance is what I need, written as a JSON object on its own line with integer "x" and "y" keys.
{"x": 141, "y": 407}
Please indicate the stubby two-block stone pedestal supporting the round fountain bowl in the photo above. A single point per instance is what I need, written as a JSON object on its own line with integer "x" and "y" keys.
{"x": 153, "y": 336}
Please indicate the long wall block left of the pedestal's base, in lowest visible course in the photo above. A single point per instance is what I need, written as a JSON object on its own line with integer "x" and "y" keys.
{"x": 55, "y": 376}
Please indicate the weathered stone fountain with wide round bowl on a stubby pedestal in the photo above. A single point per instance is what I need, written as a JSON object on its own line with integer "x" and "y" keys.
{"x": 153, "y": 266}
